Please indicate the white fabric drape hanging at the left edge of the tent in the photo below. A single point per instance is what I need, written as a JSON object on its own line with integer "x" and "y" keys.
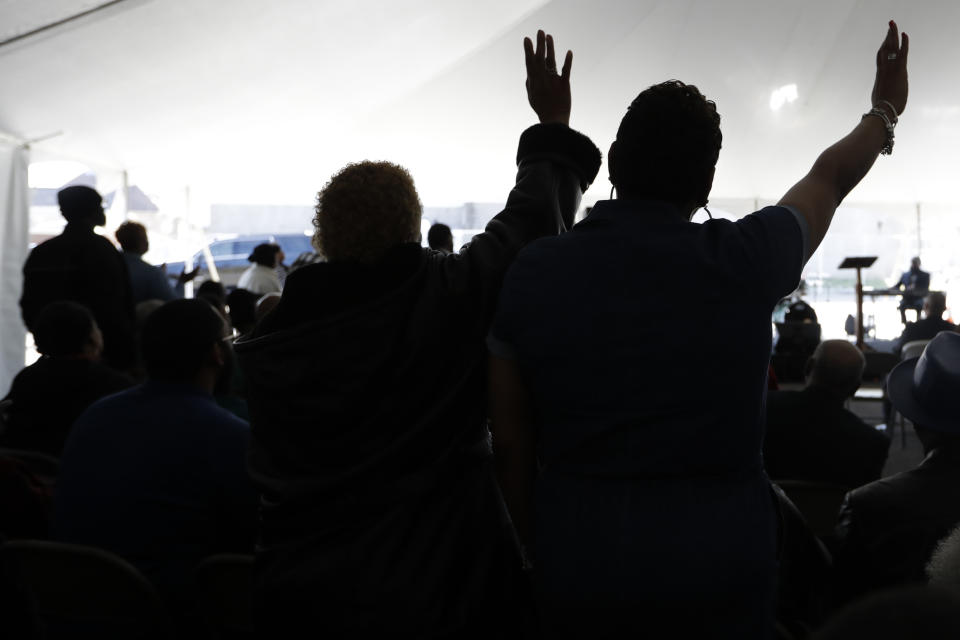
{"x": 14, "y": 240}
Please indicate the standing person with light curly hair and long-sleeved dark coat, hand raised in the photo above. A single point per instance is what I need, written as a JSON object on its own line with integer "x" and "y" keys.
{"x": 381, "y": 513}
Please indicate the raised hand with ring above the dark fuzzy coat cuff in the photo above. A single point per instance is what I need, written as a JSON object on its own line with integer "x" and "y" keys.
{"x": 547, "y": 91}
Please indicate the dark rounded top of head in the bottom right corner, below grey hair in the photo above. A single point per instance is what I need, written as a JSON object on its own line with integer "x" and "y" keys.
{"x": 924, "y": 612}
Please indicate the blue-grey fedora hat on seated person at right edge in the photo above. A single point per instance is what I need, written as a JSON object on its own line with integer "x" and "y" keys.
{"x": 926, "y": 390}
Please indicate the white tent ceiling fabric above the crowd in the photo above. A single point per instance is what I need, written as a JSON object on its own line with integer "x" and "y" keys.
{"x": 261, "y": 102}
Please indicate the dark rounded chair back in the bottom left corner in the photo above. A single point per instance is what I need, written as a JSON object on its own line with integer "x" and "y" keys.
{"x": 73, "y": 584}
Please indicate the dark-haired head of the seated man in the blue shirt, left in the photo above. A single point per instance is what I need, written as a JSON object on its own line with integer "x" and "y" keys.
{"x": 177, "y": 337}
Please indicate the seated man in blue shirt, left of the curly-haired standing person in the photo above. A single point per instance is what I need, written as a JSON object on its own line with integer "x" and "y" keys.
{"x": 157, "y": 473}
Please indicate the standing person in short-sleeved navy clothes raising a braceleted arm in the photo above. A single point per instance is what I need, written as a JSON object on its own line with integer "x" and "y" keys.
{"x": 643, "y": 500}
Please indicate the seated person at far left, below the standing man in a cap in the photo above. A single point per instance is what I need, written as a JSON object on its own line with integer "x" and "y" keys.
{"x": 50, "y": 394}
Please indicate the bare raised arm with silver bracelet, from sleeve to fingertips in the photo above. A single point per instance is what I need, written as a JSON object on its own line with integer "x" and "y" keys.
{"x": 838, "y": 169}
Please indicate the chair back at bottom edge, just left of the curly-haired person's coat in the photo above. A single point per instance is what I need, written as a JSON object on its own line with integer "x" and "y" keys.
{"x": 224, "y": 586}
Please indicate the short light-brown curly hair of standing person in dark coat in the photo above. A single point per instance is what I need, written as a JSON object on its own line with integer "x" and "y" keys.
{"x": 364, "y": 210}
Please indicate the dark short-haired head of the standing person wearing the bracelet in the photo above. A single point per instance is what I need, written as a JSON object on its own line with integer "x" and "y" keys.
{"x": 667, "y": 144}
